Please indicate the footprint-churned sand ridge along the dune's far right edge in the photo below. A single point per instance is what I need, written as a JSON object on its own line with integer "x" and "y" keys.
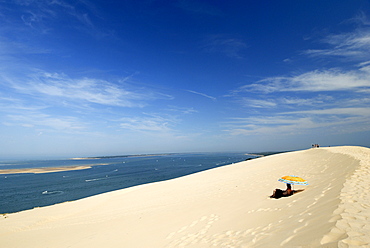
{"x": 353, "y": 213}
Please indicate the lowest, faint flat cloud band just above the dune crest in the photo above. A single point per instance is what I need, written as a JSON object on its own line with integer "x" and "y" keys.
{"x": 334, "y": 120}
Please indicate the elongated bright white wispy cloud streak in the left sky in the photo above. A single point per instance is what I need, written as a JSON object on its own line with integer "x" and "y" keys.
{"x": 88, "y": 90}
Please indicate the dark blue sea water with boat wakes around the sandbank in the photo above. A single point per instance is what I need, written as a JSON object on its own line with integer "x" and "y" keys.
{"x": 26, "y": 191}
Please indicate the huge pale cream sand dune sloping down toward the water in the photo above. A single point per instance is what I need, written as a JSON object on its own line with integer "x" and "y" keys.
{"x": 223, "y": 207}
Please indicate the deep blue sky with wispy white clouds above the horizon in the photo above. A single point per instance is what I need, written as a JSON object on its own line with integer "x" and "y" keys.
{"x": 87, "y": 78}
